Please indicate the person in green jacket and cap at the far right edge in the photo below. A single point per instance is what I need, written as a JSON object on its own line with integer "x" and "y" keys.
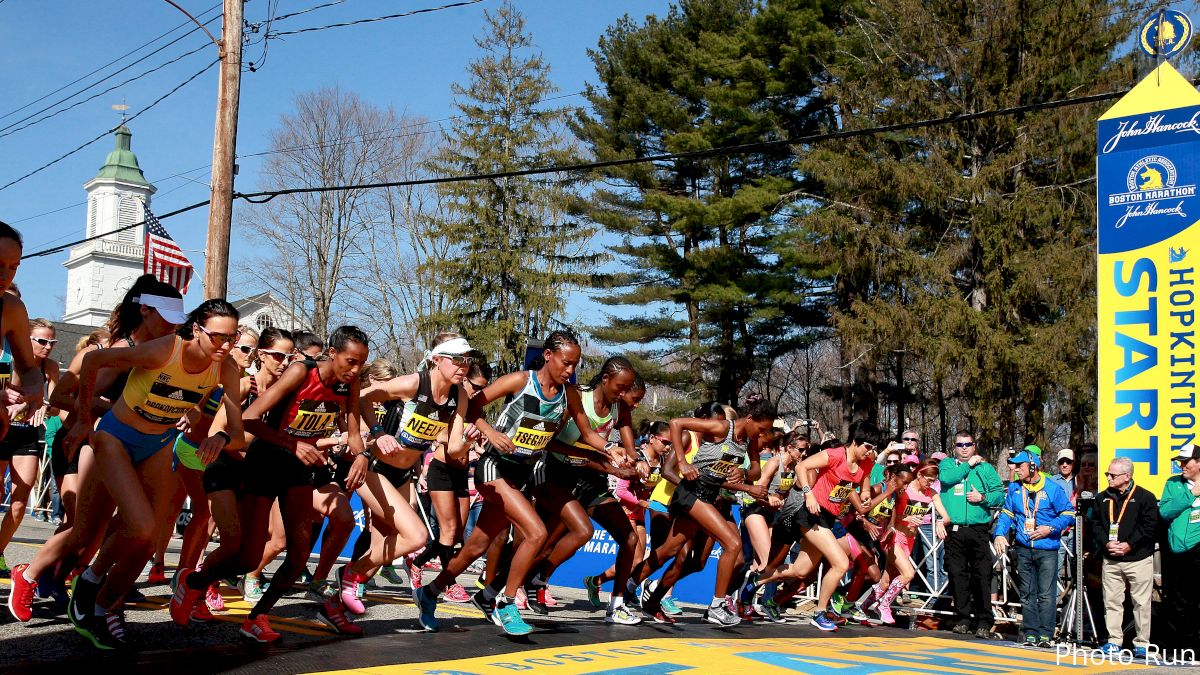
{"x": 1180, "y": 509}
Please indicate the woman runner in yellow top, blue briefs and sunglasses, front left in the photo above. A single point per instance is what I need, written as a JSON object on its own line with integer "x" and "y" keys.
{"x": 170, "y": 377}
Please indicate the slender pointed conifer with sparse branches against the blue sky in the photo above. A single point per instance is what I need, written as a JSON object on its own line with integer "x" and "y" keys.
{"x": 517, "y": 244}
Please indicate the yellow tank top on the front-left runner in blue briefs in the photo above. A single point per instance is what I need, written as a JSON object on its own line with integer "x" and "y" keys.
{"x": 165, "y": 396}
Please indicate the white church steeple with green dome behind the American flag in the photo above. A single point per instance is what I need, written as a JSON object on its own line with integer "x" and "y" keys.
{"x": 101, "y": 271}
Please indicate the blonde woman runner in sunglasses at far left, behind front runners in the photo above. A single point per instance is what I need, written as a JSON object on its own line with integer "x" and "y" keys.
{"x": 22, "y": 449}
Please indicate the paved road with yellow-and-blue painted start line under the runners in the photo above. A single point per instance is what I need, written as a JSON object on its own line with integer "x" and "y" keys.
{"x": 573, "y": 640}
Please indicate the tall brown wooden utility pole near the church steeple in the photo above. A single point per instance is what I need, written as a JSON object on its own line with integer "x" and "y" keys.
{"x": 225, "y": 145}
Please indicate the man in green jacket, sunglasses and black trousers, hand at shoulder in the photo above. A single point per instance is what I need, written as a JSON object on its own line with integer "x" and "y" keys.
{"x": 970, "y": 491}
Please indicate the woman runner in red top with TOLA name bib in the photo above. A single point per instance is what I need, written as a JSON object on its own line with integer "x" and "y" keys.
{"x": 287, "y": 421}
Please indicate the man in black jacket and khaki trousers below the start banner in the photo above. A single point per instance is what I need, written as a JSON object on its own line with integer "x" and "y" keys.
{"x": 1129, "y": 517}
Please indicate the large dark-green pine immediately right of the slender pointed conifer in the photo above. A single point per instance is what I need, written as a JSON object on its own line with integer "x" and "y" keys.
{"x": 699, "y": 254}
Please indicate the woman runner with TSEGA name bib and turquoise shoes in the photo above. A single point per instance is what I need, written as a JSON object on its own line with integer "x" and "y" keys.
{"x": 526, "y": 426}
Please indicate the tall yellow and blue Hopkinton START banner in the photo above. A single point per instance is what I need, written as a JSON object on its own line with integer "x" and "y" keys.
{"x": 1147, "y": 174}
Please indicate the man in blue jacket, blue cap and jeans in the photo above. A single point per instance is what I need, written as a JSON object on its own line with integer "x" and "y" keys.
{"x": 1039, "y": 511}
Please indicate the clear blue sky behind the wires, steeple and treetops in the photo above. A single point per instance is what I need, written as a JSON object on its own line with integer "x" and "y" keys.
{"x": 407, "y": 63}
